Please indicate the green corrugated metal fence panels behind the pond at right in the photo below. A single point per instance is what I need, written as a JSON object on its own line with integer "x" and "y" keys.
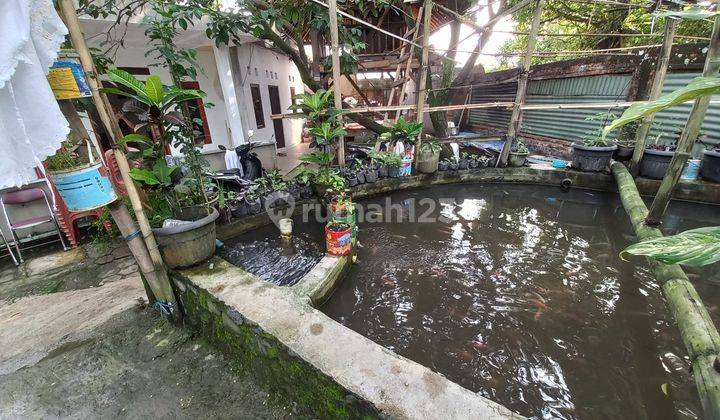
{"x": 570, "y": 124}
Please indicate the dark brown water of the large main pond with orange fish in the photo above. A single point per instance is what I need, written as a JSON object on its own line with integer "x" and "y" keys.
{"x": 518, "y": 293}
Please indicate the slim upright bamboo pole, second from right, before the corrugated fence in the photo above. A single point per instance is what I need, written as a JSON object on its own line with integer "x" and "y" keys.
{"x": 655, "y": 91}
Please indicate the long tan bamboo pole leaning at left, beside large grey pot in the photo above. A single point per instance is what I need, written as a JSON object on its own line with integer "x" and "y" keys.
{"x": 156, "y": 275}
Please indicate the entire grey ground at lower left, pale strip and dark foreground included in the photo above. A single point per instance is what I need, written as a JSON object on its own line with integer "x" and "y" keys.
{"x": 77, "y": 341}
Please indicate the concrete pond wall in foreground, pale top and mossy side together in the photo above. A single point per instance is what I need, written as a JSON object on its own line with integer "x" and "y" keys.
{"x": 306, "y": 359}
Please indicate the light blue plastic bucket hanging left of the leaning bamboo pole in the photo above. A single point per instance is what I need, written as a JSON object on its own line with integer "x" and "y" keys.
{"x": 84, "y": 189}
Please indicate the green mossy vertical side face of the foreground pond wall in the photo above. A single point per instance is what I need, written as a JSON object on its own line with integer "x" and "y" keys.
{"x": 285, "y": 376}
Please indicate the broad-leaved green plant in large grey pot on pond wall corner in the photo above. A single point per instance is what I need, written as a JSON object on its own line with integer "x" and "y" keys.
{"x": 185, "y": 228}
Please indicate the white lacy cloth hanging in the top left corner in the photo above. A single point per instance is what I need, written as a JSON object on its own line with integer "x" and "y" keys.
{"x": 32, "y": 127}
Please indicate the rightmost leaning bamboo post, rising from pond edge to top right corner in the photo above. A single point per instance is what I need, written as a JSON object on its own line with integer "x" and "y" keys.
{"x": 689, "y": 134}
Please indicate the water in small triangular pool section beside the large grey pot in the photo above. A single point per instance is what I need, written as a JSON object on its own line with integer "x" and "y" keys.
{"x": 262, "y": 252}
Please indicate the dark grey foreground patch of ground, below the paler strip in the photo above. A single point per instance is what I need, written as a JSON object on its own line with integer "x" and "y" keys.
{"x": 134, "y": 366}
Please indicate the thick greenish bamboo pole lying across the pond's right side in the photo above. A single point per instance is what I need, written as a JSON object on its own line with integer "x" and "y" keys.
{"x": 697, "y": 330}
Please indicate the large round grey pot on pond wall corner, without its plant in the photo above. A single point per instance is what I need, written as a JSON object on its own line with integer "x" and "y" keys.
{"x": 189, "y": 243}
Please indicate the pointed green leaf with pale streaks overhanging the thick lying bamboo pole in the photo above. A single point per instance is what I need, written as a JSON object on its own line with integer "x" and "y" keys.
{"x": 695, "y": 248}
